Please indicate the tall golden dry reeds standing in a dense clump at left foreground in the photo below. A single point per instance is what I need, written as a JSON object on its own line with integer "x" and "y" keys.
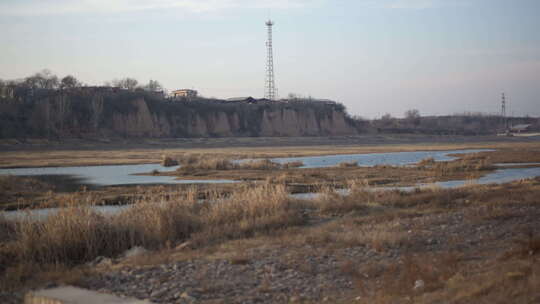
{"x": 77, "y": 235}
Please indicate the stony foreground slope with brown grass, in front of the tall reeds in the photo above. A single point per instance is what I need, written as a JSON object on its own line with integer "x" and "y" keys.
{"x": 328, "y": 263}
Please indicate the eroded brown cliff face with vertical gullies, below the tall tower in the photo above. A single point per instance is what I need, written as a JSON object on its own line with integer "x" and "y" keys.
{"x": 105, "y": 116}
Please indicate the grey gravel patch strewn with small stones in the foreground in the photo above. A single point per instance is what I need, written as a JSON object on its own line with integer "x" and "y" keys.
{"x": 282, "y": 273}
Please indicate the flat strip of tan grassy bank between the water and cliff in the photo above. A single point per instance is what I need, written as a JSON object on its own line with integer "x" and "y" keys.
{"x": 94, "y": 154}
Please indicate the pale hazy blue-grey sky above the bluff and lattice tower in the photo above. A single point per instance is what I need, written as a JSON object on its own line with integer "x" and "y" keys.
{"x": 374, "y": 56}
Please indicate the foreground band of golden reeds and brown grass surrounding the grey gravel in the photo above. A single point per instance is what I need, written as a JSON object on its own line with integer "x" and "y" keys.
{"x": 397, "y": 226}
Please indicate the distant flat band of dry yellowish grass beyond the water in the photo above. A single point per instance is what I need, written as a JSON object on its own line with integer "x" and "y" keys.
{"x": 139, "y": 154}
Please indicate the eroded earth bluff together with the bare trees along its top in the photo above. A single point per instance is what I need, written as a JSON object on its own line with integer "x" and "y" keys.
{"x": 44, "y": 106}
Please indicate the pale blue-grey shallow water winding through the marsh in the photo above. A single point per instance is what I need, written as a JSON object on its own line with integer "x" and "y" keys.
{"x": 126, "y": 174}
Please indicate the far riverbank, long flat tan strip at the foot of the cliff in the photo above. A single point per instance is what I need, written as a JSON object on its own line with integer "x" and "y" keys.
{"x": 44, "y": 153}
